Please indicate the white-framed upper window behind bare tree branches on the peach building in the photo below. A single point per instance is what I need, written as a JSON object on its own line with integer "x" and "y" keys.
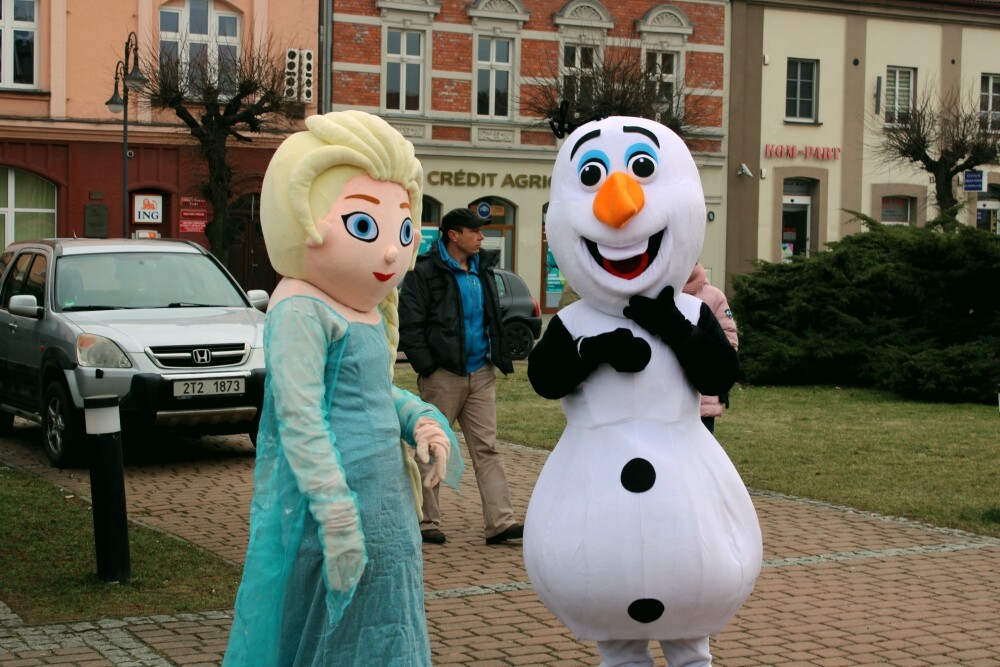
{"x": 202, "y": 42}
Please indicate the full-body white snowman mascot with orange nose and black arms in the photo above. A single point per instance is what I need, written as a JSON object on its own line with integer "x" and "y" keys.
{"x": 639, "y": 527}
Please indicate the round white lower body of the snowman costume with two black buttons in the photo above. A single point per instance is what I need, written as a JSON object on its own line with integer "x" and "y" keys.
{"x": 641, "y": 529}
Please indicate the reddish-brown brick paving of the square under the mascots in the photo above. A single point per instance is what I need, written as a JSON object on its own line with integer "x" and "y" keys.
{"x": 838, "y": 587}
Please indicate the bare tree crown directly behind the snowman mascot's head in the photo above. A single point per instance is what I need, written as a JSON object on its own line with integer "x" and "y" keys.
{"x": 605, "y": 79}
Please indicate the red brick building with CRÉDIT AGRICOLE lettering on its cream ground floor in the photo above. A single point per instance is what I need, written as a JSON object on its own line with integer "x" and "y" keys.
{"x": 454, "y": 78}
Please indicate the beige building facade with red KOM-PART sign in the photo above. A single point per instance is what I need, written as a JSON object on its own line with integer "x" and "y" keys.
{"x": 812, "y": 85}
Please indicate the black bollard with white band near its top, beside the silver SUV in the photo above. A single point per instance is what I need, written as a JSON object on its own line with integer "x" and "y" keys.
{"x": 107, "y": 488}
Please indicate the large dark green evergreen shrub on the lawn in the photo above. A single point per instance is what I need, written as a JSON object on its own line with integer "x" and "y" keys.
{"x": 913, "y": 310}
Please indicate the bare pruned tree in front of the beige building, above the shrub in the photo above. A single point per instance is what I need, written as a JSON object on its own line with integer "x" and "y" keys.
{"x": 944, "y": 137}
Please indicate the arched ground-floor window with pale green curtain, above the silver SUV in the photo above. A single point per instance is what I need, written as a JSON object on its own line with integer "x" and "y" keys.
{"x": 27, "y": 206}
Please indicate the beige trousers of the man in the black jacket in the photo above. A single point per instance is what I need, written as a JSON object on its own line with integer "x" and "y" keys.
{"x": 471, "y": 399}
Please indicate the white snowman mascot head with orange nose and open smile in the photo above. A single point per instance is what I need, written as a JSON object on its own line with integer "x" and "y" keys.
{"x": 627, "y": 213}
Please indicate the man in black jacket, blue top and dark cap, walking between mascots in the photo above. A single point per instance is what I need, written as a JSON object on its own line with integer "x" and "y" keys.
{"x": 451, "y": 330}
